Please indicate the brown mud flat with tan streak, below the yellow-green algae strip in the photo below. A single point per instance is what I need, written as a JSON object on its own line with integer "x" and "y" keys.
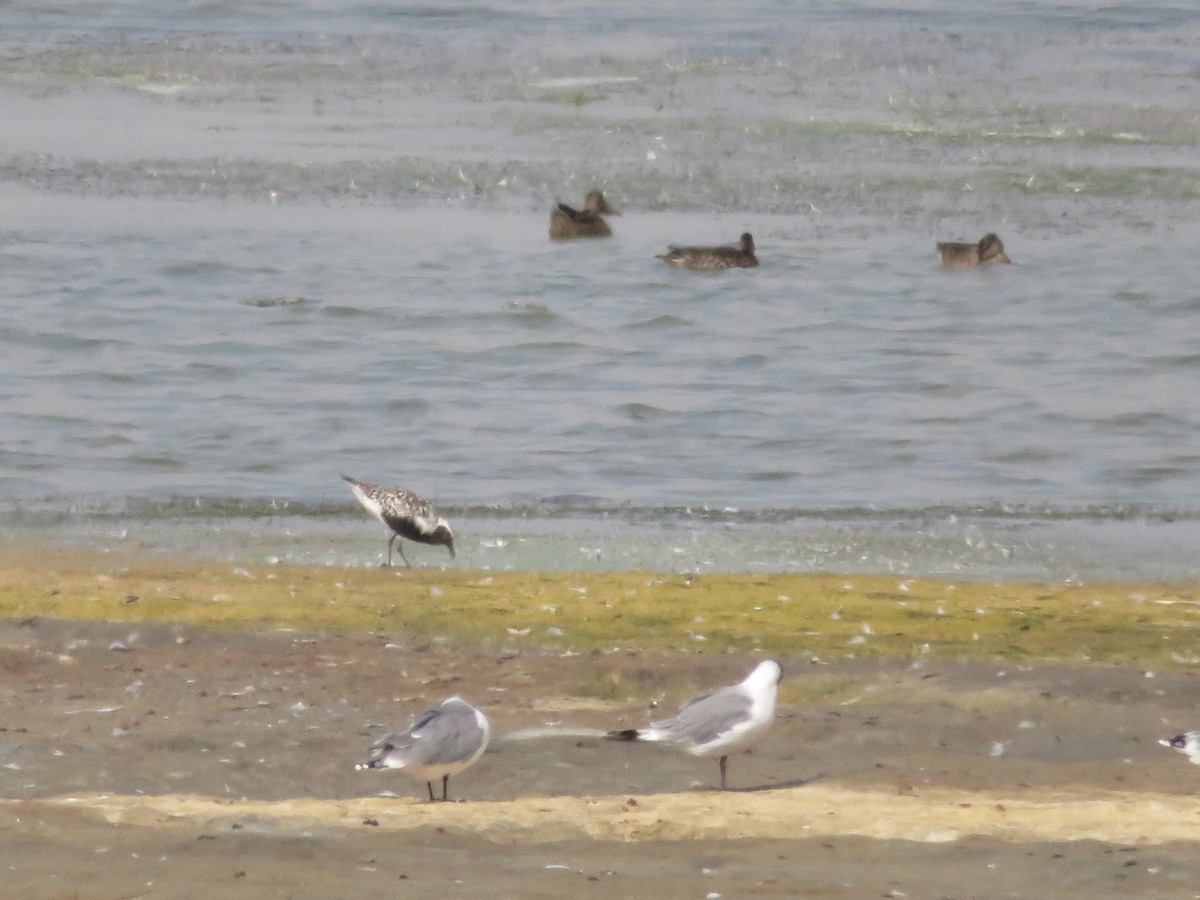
{"x": 163, "y": 759}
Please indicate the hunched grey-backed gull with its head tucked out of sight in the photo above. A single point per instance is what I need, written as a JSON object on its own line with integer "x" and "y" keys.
{"x": 439, "y": 743}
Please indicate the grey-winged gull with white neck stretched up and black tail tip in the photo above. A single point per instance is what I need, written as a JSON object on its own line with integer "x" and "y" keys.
{"x": 715, "y": 723}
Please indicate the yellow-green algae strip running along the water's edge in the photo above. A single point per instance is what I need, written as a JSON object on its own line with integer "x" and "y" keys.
{"x": 829, "y": 616}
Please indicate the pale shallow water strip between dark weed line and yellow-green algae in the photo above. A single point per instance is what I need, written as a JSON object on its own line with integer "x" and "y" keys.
{"x": 974, "y": 547}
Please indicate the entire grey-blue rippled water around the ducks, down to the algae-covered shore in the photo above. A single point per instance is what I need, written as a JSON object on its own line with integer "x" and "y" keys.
{"x": 250, "y": 248}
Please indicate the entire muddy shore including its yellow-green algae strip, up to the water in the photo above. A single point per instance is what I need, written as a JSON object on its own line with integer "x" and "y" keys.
{"x": 188, "y": 729}
